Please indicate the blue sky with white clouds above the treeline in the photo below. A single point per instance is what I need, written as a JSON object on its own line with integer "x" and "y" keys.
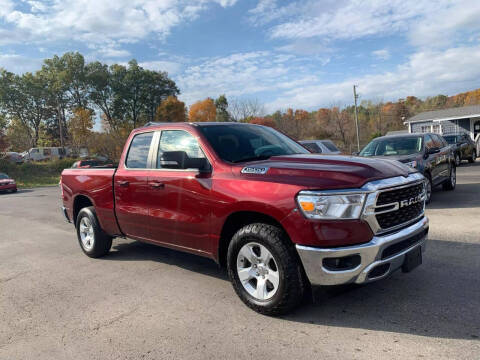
{"x": 300, "y": 54}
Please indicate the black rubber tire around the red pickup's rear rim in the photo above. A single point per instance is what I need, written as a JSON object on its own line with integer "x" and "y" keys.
{"x": 101, "y": 243}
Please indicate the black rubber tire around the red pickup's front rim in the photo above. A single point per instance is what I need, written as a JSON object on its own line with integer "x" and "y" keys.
{"x": 291, "y": 284}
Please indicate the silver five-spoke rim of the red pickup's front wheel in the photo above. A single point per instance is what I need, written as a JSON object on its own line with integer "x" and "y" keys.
{"x": 258, "y": 271}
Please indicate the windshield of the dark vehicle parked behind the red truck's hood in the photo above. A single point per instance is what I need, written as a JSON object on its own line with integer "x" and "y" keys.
{"x": 393, "y": 146}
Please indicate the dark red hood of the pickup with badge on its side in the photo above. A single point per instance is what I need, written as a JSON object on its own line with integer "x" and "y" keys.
{"x": 323, "y": 172}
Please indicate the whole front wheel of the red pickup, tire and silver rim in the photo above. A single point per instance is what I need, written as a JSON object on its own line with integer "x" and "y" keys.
{"x": 264, "y": 269}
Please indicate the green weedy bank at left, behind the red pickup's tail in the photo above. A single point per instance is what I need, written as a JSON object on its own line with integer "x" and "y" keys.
{"x": 32, "y": 174}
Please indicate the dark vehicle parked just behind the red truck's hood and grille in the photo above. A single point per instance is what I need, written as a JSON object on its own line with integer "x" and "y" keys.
{"x": 427, "y": 152}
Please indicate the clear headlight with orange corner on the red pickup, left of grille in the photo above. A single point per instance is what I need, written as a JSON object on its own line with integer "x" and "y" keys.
{"x": 331, "y": 206}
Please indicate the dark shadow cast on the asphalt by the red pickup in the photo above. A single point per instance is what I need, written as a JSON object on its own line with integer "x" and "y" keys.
{"x": 439, "y": 299}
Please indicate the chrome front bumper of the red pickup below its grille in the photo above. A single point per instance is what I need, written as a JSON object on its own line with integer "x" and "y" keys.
{"x": 370, "y": 257}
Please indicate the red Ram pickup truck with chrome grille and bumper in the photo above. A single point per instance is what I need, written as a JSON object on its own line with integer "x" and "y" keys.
{"x": 279, "y": 218}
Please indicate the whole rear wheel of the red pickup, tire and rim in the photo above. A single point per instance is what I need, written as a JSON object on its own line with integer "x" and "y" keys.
{"x": 92, "y": 239}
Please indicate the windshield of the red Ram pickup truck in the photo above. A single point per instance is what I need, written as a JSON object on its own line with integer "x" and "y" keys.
{"x": 239, "y": 143}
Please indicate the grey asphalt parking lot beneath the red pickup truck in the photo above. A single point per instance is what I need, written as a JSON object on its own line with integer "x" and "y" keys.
{"x": 146, "y": 302}
